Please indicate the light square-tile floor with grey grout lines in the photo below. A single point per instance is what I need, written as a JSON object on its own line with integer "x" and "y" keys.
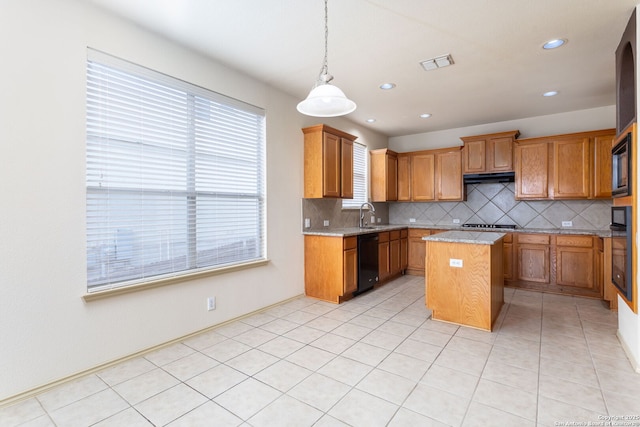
{"x": 377, "y": 360}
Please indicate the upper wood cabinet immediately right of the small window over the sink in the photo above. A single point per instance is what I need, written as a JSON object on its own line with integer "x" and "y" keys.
{"x": 384, "y": 175}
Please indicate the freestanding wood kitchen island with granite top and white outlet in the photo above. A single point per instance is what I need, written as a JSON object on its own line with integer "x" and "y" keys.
{"x": 464, "y": 277}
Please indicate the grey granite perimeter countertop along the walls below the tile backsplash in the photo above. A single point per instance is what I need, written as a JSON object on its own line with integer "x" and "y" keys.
{"x": 354, "y": 231}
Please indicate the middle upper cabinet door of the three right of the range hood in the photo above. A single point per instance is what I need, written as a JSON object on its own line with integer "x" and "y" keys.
{"x": 571, "y": 169}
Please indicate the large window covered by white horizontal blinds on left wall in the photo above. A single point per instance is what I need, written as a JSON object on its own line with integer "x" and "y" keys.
{"x": 175, "y": 177}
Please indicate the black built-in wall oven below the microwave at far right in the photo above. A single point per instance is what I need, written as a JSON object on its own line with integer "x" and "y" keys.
{"x": 621, "y": 250}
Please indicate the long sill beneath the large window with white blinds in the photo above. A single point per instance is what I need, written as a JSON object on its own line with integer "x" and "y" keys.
{"x": 107, "y": 293}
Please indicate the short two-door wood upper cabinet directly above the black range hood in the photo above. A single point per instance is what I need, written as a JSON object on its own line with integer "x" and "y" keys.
{"x": 488, "y": 153}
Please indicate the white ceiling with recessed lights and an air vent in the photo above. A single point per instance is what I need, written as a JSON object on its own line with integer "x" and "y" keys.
{"x": 500, "y": 69}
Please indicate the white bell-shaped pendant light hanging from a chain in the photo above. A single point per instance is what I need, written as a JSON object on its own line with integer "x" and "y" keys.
{"x": 326, "y": 100}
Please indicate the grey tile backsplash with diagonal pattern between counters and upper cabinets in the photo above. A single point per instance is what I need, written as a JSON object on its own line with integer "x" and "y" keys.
{"x": 486, "y": 203}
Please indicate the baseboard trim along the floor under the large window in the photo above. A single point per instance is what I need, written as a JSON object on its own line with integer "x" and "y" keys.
{"x": 48, "y": 386}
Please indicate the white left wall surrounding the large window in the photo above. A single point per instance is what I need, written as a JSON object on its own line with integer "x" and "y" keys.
{"x": 47, "y": 331}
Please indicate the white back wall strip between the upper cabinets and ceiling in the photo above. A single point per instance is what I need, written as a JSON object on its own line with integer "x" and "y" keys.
{"x": 555, "y": 124}
